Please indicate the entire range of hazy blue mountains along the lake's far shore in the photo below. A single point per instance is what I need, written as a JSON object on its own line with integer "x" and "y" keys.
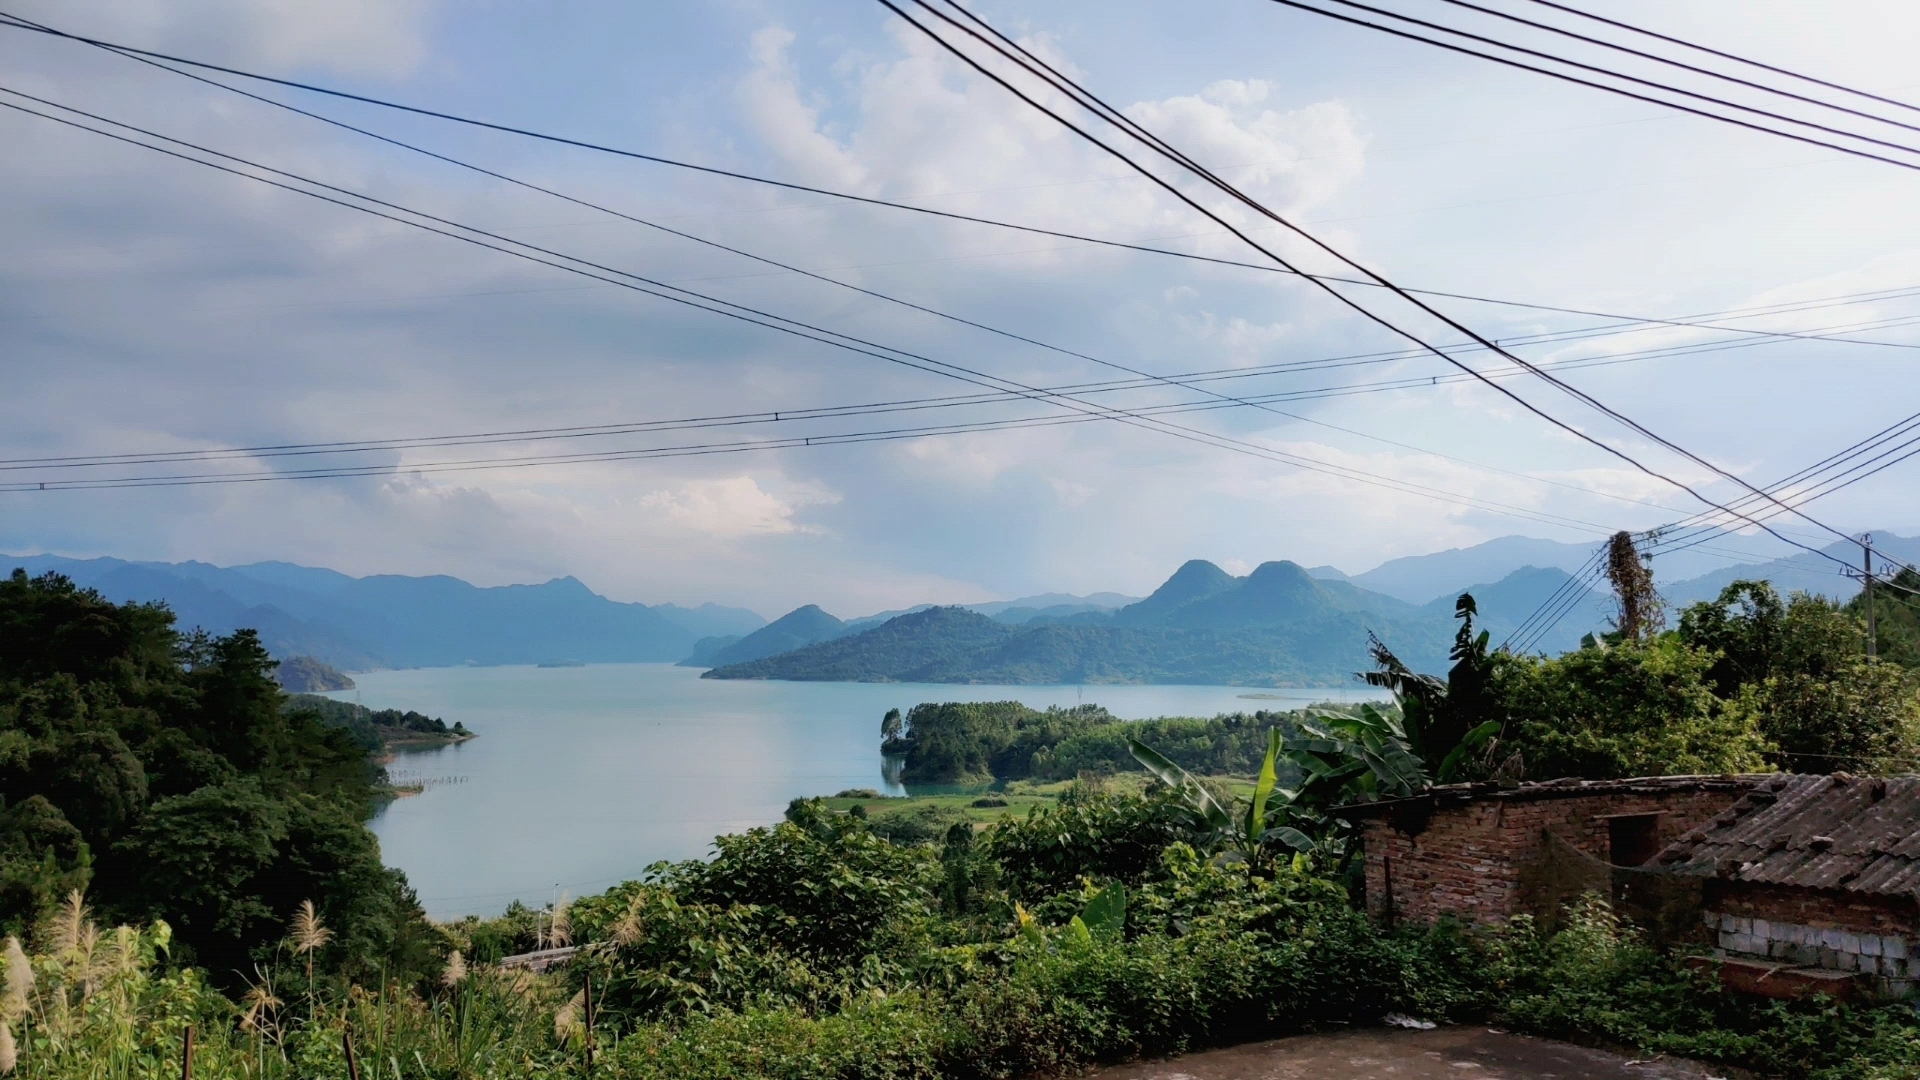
{"x": 1278, "y": 626}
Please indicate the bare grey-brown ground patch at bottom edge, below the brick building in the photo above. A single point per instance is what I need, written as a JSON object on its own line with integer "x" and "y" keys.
{"x": 1445, "y": 1054}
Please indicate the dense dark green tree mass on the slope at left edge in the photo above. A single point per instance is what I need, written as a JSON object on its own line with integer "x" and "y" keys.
{"x": 164, "y": 775}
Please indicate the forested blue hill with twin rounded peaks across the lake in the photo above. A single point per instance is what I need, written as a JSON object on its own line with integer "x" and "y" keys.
{"x": 1274, "y": 627}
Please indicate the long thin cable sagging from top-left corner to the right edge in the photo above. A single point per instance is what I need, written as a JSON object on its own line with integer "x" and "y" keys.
{"x": 155, "y": 59}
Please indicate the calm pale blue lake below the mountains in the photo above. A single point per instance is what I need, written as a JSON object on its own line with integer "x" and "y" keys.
{"x": 587, "y": 775}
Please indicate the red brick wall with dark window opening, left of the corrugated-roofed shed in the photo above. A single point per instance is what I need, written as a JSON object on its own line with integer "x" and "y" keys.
{"x": 1470, "y": 862}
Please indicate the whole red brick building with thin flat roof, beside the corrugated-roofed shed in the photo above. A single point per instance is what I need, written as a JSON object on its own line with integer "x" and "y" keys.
{"x": 1483, "y": 854}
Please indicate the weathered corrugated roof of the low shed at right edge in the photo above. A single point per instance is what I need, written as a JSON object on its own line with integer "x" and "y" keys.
{"x": 1840, "y": 833}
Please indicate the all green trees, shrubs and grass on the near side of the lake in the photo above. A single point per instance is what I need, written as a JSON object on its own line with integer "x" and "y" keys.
{"x": 183, "y": 852}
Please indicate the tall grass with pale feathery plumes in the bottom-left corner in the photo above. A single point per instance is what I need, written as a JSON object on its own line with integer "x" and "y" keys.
{"x": 93, "y": 1004}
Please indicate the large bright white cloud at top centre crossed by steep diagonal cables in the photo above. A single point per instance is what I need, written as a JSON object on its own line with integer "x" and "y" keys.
{"x": 928, "y": 130}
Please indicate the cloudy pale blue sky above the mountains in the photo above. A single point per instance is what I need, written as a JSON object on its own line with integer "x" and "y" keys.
{"x": 156, "y": 307}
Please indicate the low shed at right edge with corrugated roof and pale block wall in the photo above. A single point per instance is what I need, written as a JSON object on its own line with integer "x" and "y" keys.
{"x": 1812, "y": 883}
